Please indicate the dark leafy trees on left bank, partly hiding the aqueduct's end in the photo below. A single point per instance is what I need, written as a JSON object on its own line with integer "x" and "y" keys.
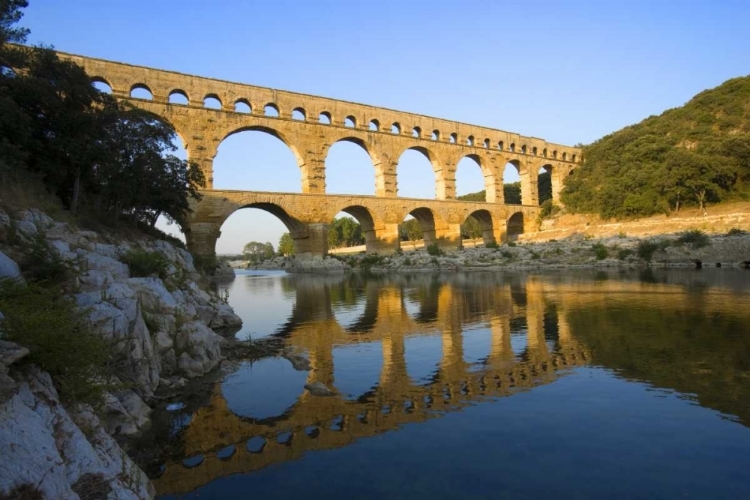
{"x": 86, "y": 148}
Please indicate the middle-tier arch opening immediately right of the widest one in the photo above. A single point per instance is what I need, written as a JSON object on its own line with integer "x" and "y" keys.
{"x": 341, "y": 176}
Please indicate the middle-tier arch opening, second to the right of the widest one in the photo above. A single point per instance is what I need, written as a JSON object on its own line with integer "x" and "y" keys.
{"x": 409, "y": 182}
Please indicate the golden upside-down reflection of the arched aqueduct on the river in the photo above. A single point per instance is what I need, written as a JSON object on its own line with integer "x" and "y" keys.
{"x": 530, "y": 322}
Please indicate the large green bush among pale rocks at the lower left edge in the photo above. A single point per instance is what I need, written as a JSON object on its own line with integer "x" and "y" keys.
{"x": 59, "y": 338}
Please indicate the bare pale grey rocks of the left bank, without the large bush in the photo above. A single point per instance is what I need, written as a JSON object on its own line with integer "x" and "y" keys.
{"x": 164, "y": 329}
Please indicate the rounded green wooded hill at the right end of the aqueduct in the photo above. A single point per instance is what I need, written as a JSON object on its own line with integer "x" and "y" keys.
{"x": 691, "y": 155}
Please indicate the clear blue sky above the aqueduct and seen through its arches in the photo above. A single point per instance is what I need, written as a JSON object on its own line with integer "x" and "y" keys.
{"x": 569, "y": 72}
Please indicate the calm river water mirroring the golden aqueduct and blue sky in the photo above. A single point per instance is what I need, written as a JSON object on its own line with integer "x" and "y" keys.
{"x": 587, "y": 385}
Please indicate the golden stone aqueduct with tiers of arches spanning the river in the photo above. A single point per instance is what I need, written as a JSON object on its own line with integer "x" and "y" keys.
{"x": 309, "y": 126}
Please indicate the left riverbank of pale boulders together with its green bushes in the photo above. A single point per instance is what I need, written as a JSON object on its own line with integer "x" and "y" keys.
{"x": 139, "y": 315}
